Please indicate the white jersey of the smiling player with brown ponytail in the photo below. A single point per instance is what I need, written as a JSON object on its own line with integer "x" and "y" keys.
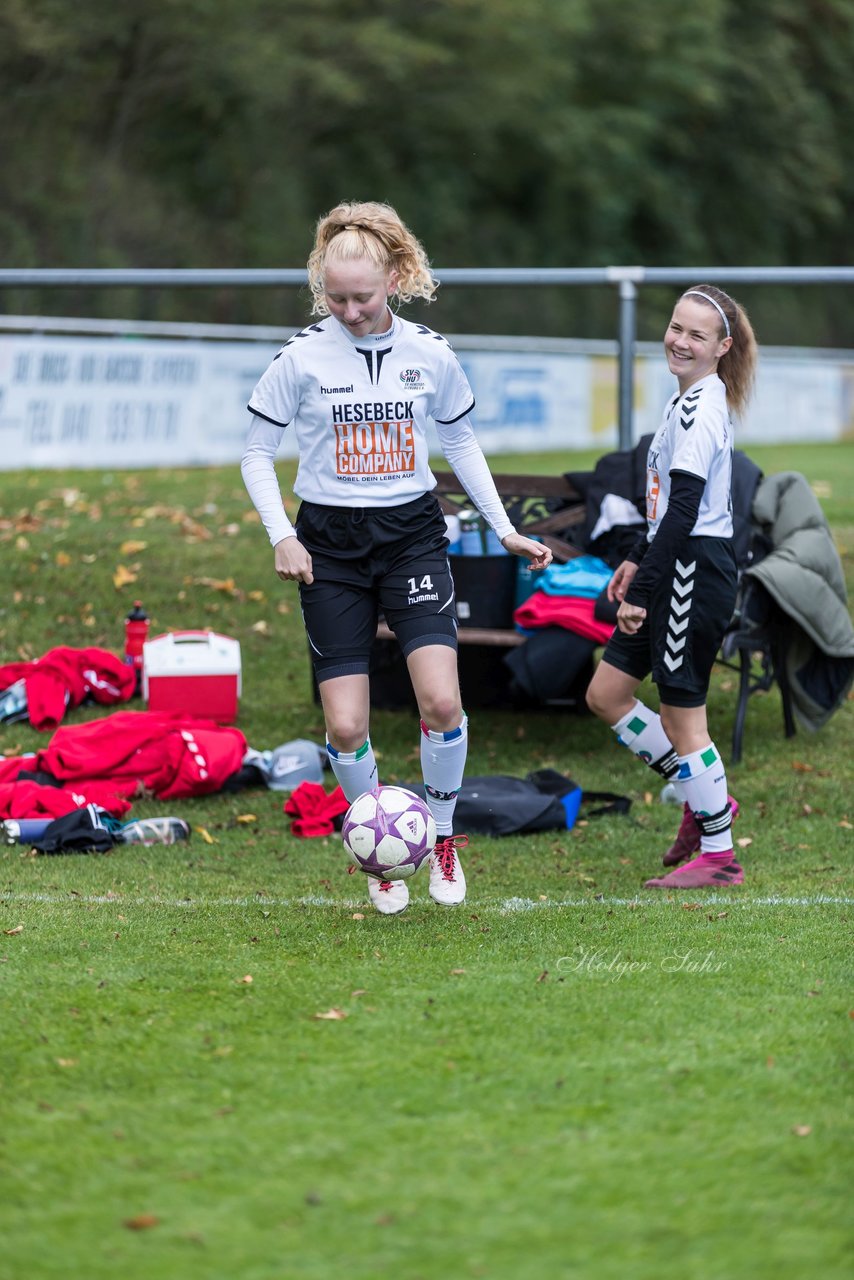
{"x": 696, "y": 436}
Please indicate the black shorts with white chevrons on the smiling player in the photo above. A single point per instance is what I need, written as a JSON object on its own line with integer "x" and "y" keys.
{"x": 687, "y": 618}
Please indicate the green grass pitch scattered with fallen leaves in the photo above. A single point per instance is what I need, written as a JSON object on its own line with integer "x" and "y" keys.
{"x": 565, "y": 1078}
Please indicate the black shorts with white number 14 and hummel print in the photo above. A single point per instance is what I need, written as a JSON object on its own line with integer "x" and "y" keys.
{"x": 369, "y": 561}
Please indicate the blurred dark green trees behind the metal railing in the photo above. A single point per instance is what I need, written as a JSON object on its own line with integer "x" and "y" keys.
{"x": 561, "y": 134}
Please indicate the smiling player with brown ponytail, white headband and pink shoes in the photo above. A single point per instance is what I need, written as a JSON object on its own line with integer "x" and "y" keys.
{"x": 677, "y": 591}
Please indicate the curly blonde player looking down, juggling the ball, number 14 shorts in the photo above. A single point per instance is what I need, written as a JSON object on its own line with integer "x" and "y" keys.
{"x": 360, "y": 388}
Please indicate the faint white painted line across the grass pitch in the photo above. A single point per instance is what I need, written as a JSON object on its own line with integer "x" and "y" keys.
{"x": 504, "y": 907}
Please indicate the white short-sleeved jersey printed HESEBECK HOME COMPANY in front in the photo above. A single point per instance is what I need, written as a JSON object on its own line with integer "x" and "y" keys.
{"x": 360, "y": 410}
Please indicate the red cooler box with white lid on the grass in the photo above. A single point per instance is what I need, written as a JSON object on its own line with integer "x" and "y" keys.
{"x": 197, "y": 673}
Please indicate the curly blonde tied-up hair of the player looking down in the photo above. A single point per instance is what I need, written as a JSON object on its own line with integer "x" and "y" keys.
{"x": 357, "y": 231}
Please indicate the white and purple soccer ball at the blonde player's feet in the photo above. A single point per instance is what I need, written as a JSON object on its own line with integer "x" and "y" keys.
{"x": 389, "y": 833}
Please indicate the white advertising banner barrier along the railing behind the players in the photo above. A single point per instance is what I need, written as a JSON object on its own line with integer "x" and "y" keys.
{"x": 99, "y": 403}
